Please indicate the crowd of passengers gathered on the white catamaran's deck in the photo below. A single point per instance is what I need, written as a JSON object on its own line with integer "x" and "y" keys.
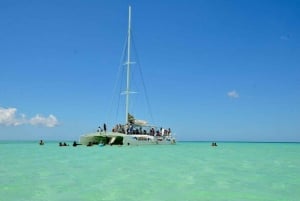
{"x": 133, "y": 129}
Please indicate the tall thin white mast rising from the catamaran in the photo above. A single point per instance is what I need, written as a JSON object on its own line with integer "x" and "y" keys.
{"x": 128, "y": 64}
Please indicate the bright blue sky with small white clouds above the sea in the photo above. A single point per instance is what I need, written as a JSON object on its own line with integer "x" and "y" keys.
{"x": 214, "y": 70}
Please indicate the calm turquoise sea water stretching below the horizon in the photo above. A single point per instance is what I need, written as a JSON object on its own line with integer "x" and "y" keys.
{"x": 183, "y": 172}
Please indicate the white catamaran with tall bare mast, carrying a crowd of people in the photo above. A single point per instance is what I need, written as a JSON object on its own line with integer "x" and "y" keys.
{"x": 133, "y": 131}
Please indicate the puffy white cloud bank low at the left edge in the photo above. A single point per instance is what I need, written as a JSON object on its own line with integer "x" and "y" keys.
{"x": 9, "y": 117}
